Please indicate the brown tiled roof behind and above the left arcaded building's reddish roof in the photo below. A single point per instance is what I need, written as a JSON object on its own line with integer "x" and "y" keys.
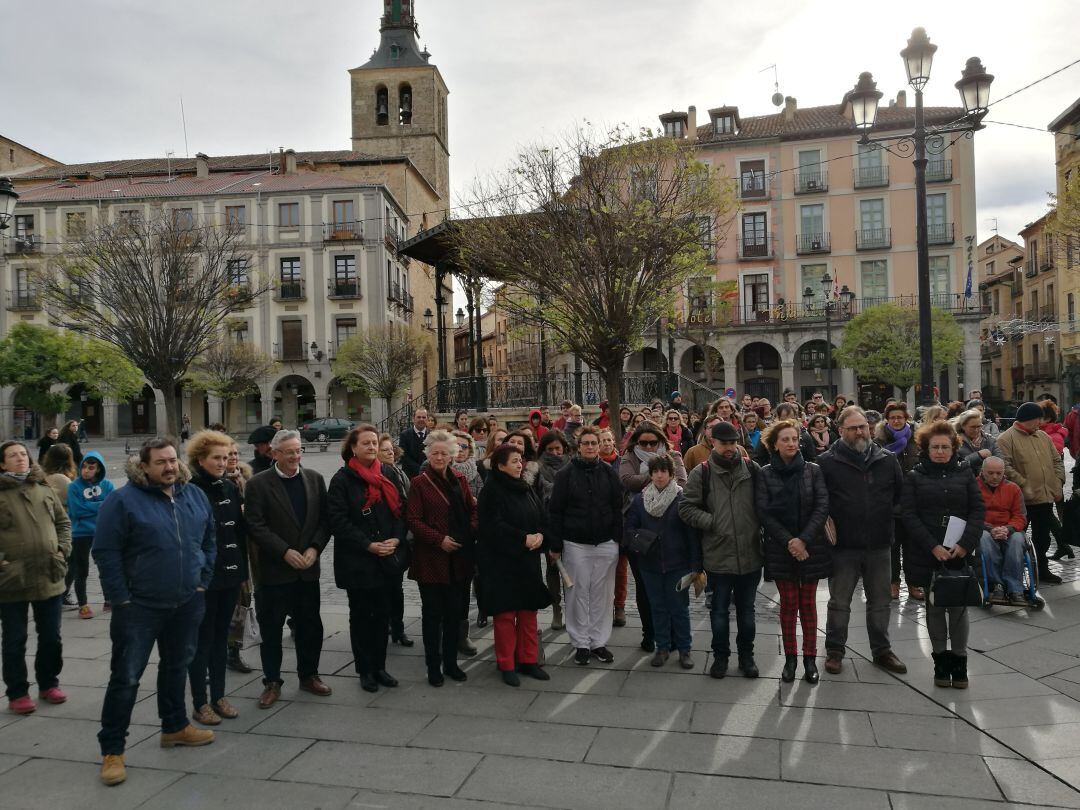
{"x": 144, "y": 167}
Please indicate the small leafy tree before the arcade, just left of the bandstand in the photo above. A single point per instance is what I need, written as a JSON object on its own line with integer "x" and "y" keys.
{"x": 383, "y": 360}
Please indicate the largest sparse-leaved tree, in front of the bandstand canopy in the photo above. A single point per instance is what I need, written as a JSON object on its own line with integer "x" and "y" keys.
{"x": 602, "y": 232}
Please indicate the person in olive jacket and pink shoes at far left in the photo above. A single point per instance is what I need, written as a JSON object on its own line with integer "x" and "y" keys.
{"x": 35, "y": 544}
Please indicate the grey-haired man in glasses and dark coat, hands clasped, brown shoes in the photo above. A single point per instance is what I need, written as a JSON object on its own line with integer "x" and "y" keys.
{"x": 287, "y": 524}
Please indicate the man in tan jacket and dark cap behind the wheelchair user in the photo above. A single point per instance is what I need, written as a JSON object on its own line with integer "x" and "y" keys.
{"x": 1032, "y": 462}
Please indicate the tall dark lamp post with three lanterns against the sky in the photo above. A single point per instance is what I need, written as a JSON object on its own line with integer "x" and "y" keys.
{"x": 975, "y": 87}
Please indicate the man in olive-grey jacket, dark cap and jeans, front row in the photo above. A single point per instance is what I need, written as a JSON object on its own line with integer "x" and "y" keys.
{"x": 719, "y": 501}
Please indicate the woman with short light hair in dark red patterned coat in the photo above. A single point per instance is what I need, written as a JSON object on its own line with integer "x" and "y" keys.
{"x": 442, "y": 516}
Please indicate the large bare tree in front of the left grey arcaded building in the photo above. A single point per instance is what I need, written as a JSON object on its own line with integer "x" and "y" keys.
{"x": 158, "y": 290}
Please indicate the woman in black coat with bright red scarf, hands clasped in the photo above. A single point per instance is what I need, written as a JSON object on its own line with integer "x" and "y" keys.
{"x": 367, "y": 512}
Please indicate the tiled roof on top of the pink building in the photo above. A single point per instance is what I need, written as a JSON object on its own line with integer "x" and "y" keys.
{"x": 815, "y": 123}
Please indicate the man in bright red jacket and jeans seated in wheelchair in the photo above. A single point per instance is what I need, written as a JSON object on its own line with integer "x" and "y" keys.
{"x": 1003, "y": 543}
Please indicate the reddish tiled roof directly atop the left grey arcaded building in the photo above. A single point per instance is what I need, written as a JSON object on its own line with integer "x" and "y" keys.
{"x": 221, "y": 183}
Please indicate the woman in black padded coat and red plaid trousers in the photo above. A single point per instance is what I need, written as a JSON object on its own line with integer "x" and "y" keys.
{"x": 792, "y": 505}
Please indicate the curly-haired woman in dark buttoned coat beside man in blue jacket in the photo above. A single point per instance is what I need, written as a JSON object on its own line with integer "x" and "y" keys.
{"x": 209, "y": 457}
